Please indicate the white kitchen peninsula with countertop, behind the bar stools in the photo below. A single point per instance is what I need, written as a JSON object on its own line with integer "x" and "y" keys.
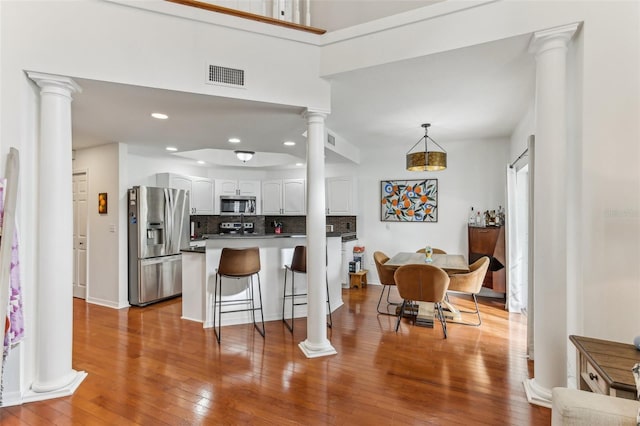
{"x": 199, "y": 266}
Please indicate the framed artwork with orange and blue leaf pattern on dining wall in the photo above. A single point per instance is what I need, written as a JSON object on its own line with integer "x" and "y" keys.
{"x": 409, "y": 200}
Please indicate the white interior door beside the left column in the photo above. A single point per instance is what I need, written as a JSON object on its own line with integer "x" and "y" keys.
{"x": 80, "y": 235}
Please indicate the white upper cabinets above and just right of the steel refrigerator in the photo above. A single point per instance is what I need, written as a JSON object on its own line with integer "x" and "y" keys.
{"x": 201, "y": 190}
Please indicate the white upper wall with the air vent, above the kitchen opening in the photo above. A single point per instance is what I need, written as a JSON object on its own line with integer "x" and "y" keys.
{"x": 78, "y": 39}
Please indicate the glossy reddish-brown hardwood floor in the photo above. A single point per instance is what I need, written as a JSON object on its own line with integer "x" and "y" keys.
{"x": 147, "y": 366}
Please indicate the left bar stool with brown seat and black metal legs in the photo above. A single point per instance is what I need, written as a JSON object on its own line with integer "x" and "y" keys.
{"x": 237, "y": 263}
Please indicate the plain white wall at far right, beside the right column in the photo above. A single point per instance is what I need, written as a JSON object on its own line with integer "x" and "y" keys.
{"x": 610, "y": 174}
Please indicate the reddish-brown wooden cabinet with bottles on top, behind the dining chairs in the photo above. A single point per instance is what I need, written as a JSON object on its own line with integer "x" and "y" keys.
{"x": 489, "y": 241}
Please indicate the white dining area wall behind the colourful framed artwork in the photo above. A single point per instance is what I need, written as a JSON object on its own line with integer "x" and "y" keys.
{"x": 474, "y": 176}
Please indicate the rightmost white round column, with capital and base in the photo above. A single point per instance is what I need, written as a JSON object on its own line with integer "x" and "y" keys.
{"x": 549, "y": 215}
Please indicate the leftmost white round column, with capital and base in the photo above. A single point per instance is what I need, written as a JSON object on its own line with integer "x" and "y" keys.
{"x": 54, "y": 376}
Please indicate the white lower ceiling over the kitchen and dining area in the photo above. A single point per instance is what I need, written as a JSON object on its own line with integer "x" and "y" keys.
{"x": 472, "y": 93}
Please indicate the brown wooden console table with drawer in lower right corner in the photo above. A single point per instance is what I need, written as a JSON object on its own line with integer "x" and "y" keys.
{"x": 605, "y": 367}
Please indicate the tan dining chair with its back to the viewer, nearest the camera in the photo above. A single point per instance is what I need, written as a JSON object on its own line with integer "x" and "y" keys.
{"x": 422, "y": 283}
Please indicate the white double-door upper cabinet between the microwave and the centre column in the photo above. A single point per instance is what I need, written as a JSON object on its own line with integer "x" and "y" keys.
{"x": 284, "y": 197}
